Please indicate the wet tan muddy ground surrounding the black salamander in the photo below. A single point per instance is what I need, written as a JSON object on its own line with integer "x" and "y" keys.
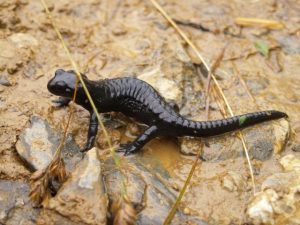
{"x": 130, "y": 38}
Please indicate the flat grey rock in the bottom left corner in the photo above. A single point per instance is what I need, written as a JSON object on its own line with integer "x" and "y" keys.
{"x": 15, "y": 206}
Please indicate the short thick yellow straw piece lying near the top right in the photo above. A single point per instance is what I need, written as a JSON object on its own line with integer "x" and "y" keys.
{"x": 270, "y": 24}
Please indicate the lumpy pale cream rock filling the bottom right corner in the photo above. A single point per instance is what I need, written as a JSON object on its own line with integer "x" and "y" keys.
{"x": 279, "y": 196}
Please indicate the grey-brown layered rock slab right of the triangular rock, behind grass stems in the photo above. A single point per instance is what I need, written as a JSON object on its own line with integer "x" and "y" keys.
{"x": 146, "y": 189}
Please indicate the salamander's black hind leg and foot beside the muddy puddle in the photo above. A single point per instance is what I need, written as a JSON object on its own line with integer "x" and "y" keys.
{"x": 139, "y": 143}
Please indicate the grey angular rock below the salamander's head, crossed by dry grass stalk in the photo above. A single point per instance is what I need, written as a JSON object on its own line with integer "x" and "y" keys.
{"x": 38, "y": 142}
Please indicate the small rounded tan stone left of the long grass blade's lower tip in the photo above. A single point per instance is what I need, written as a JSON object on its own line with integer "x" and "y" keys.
{"x": 233, "y": 181}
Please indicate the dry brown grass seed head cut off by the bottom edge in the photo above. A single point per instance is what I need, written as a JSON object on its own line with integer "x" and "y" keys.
{"x": 123, "y": 212}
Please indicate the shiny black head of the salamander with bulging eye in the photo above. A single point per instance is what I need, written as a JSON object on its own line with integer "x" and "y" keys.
{"x": 63, "y": 83}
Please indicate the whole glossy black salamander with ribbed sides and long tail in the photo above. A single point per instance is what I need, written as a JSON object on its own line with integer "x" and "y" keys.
{"x": 136, "y": 98}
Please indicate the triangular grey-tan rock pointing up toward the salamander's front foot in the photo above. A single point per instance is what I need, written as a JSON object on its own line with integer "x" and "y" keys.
{"x": 82, "y": 199}
